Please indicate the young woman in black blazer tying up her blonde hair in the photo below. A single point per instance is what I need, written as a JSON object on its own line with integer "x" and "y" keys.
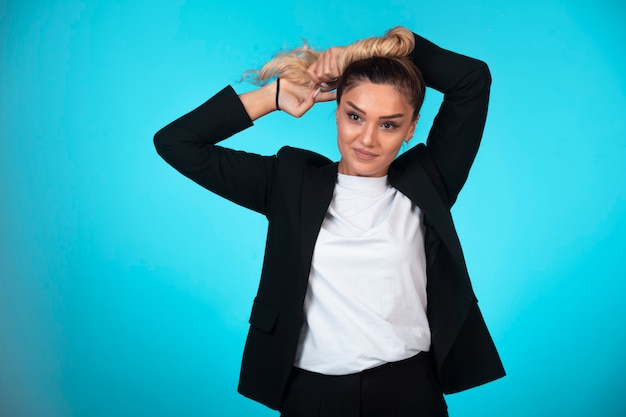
{"x": 365, "y": 306}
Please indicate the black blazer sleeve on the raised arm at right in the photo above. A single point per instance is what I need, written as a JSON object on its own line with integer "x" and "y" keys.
{"x": 457, "y": 130}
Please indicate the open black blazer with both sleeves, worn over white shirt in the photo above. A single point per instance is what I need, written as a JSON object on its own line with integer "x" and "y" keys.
{"x": 293, "y": 190}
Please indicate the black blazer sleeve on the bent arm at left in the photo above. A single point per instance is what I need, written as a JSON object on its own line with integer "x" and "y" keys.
{"x": 188, "y": 144}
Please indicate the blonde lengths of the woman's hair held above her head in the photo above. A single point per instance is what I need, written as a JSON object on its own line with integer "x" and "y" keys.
{"x": 292, "y": 65}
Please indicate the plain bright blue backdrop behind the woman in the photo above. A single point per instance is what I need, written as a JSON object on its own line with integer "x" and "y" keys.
{"x": 125, "y": 288}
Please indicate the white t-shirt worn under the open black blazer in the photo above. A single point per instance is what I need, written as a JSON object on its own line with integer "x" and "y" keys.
{"x": 366, "y": 299}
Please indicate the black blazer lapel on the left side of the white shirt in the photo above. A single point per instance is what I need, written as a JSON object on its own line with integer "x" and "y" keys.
{"x": 317, "y": 192}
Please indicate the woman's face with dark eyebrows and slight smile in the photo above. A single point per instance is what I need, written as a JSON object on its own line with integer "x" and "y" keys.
{"x": 372, "y": 122}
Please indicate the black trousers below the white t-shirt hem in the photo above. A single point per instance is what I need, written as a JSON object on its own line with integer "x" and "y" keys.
{"x": 397, "y": 389}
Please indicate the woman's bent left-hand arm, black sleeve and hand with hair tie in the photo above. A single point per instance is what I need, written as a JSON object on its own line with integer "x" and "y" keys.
{"x": 188, "y": 143}
